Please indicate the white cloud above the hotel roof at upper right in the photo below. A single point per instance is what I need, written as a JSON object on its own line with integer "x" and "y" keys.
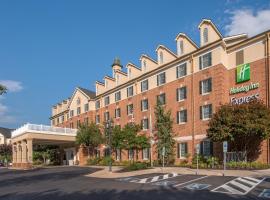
{"x": 248, "y": 21}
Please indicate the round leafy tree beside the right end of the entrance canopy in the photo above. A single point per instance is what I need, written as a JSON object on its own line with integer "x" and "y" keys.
{"x": 89, "y": 136}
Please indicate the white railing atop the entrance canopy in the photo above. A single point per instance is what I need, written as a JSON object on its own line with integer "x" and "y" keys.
{"x": 43, "y": 129}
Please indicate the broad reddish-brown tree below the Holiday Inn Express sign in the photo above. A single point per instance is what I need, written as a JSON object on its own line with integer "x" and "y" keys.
{"x": 244, "y": 126}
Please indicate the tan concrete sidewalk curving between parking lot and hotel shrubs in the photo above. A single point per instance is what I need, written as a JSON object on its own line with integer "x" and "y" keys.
{"x": 104, "y": 172}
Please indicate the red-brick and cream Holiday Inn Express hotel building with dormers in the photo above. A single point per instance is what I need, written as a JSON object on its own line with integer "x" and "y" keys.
{"x": 192, "y": 83}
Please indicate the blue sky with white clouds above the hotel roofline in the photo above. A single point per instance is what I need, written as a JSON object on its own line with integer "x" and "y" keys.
{"x": 48, "y": 48}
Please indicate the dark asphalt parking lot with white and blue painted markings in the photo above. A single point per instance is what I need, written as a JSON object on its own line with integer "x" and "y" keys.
{"x": 73, "y": 183}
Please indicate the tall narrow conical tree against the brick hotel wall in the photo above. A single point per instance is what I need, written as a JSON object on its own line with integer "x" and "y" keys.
{"x": 164, "y": 127}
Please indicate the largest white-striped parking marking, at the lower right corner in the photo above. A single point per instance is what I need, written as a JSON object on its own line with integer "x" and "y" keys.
{"x": 239, "y": 186}
